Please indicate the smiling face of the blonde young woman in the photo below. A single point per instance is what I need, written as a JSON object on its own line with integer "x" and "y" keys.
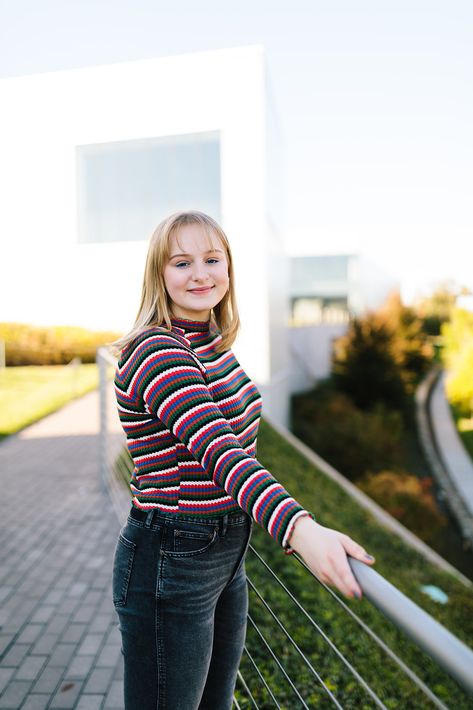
{"x": 196, "y": 274}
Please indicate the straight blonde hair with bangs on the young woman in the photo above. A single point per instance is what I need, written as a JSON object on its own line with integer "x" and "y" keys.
{"x": 156, "y": 306}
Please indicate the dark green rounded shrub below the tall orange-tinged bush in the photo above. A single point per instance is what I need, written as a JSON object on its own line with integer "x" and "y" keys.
{"x": 353, "y": 441}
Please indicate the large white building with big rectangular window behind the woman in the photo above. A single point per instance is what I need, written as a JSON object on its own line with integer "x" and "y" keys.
{"x": 92, "y": 159}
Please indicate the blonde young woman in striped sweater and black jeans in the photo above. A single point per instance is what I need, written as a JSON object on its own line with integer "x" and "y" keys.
{"x": 191, "y": 415}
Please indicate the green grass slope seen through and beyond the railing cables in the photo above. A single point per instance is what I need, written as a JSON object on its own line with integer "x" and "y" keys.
{"x": 397, "y": 562}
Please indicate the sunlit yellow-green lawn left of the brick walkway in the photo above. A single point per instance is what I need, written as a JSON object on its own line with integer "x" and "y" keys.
{"x": 29, "y": 393}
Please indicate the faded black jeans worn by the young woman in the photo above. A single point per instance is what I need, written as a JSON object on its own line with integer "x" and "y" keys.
{"x": 180, "y": 590}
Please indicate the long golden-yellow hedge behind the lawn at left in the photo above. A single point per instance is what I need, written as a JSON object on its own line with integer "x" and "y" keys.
{"x": 55, "y": 345}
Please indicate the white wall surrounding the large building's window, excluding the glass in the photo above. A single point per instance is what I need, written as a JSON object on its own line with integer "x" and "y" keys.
{"x": 52, "y": 277}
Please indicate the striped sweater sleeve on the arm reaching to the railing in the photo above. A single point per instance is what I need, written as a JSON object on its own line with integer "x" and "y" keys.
{"x": 172, "y": 387}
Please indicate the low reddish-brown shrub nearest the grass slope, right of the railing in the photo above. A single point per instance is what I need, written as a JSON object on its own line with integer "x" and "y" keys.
{"x": 407, "y": 498}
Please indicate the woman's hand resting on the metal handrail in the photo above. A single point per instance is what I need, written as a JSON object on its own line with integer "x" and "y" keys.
{"x": 325, "y": 552}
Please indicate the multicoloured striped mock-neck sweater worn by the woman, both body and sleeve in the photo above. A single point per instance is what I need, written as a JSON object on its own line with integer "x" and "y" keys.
{"x": 191, "y": 418}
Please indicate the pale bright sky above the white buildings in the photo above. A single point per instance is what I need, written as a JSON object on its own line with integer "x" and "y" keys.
{"x": 374, "y": 99}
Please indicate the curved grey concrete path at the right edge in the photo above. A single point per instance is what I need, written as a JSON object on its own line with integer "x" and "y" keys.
{"x": 455, "y": 458}
